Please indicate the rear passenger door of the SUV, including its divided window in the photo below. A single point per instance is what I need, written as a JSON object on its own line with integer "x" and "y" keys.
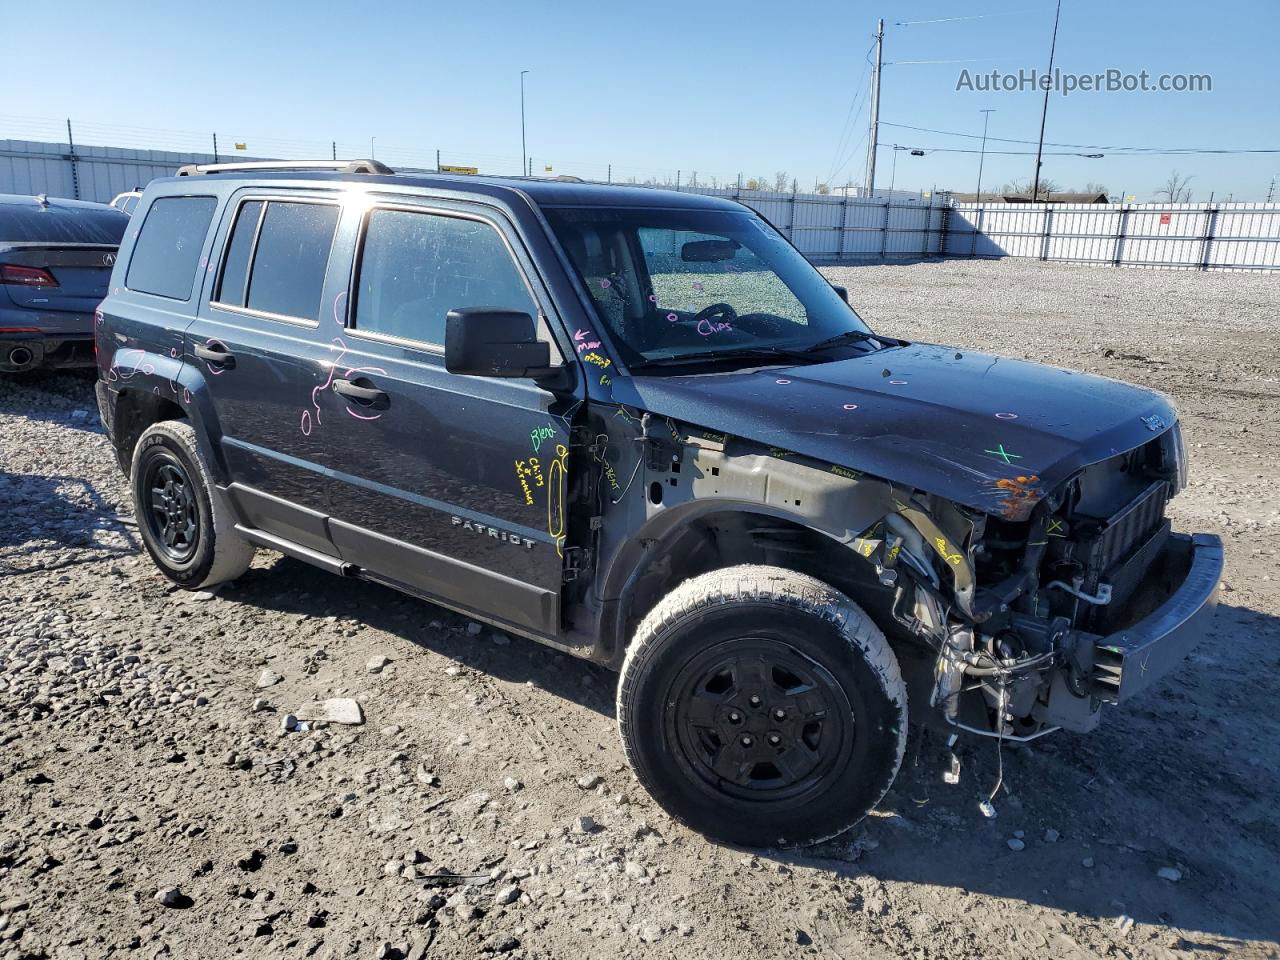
{"x": 260, "y": 345}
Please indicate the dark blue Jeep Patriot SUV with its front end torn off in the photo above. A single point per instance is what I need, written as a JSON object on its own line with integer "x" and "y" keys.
{"x": 639, "y": 427}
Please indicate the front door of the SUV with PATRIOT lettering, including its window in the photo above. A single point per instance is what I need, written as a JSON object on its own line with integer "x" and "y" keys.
{"x": 451, "y": 486}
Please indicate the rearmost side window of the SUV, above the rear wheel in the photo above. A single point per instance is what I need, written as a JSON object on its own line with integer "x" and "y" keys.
{"x": 167, "y": 253}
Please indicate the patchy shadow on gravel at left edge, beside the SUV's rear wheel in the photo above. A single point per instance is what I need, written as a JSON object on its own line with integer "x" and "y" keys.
{"x": 57, "y": 522}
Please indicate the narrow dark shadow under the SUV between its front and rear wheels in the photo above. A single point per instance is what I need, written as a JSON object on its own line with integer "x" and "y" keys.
{"x": 294, "y": 587}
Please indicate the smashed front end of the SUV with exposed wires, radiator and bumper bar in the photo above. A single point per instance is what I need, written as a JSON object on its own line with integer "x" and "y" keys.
{"x": 1066, "y": 601}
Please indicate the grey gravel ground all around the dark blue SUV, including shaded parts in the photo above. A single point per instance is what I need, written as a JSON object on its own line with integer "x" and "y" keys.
{"x": 152, "y": 804}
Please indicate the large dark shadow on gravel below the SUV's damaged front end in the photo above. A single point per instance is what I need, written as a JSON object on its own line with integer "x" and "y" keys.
{"x": 1185, "y": 778}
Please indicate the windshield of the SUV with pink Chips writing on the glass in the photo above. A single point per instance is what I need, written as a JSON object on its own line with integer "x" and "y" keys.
{"x": 688, "y": 284}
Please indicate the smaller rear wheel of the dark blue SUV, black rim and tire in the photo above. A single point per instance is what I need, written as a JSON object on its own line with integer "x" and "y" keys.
{"x": 190, "y": 533}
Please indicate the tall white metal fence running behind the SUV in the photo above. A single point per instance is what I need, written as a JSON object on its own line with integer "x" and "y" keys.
{"x": 825, "y": 228}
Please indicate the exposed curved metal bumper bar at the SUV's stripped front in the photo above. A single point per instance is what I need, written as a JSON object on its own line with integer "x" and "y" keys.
{"x": 1186, "y": 586}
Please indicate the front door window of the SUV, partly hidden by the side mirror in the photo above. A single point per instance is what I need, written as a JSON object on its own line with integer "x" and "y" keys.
{"x": 415, "y": 268}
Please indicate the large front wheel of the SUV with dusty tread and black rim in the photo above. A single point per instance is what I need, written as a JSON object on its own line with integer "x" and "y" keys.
{"x": 761, "y": 707}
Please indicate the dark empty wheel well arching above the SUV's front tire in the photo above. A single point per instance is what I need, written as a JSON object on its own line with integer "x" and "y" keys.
{"x": 732, "y": 538}
